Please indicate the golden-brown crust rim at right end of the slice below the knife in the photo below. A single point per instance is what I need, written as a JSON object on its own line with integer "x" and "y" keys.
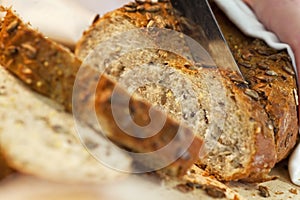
{"x": 262, "y": 159}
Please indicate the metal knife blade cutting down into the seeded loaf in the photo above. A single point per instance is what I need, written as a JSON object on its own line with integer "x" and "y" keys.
{"x": 198, "y": 21}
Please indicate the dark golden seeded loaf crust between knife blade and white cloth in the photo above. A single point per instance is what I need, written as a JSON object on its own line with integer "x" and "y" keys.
{"x": 271, "y": 75}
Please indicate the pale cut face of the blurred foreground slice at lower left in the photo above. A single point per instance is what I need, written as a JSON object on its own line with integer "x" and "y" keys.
{"x": 37, "y": 137}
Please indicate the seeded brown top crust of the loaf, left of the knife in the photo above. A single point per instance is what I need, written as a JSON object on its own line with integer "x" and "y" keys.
{"x": 139, "y": 14}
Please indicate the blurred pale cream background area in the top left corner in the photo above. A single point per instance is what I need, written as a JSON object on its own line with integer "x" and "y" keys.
{"x": 61, "y": 20}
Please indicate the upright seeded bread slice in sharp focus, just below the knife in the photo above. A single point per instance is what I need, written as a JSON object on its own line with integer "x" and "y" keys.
{"x": 226, "y": 114}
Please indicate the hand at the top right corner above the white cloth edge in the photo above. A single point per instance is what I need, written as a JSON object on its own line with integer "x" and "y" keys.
{"x": 283, "y": 18}
